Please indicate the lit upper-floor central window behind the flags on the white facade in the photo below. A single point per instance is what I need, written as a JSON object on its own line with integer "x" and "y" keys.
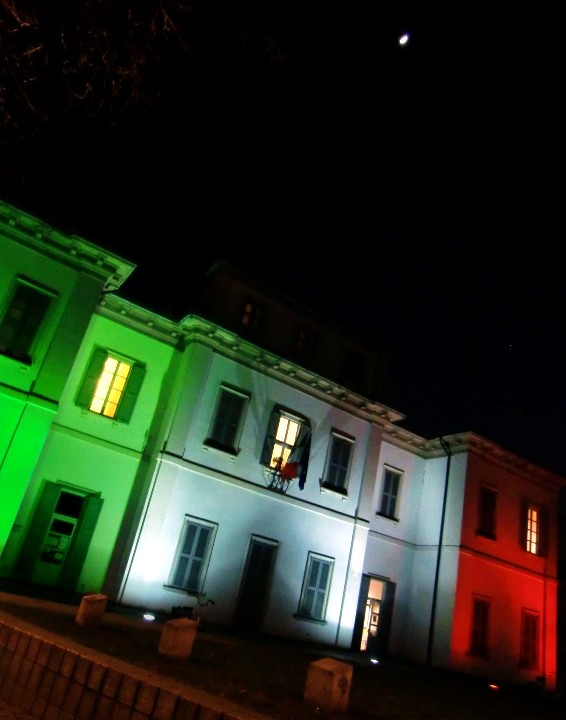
{"x": 287, "y": 445}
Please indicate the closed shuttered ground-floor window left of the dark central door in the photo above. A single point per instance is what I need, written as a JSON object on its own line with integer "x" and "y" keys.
{"x": 193, "y": 555}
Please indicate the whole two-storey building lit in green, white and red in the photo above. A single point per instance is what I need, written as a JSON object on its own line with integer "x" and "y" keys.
{"x": 234, "y": 465}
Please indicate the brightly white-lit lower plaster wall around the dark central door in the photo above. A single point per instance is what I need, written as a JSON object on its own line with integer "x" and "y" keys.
{"x": 242, "y": 510}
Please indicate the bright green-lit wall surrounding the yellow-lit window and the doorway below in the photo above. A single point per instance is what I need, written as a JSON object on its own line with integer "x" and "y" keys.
{"x": 98, "y": 455}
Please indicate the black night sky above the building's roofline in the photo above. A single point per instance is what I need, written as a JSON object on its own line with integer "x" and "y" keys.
{"x": 415, "y": 192}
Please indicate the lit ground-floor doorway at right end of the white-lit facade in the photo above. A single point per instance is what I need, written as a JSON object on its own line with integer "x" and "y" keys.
{"x": 373, "y": 617}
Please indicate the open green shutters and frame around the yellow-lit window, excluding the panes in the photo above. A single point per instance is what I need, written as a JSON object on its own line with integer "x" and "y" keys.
{"x": 129, "y": 394}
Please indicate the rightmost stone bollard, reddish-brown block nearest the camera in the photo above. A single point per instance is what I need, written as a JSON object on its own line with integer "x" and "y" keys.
{"x": 328, "y": 684}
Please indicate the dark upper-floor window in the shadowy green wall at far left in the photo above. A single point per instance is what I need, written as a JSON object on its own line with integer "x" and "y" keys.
{"x": 22, "y": 320}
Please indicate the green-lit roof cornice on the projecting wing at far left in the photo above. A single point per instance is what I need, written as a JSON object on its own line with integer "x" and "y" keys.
{"x": 70, "y": 250}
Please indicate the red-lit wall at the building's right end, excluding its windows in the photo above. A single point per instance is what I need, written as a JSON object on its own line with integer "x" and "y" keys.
{"x": 500, "y": 571}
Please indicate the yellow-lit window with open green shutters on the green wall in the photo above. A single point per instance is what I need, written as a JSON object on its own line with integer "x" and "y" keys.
{"x": 111, "y": 385}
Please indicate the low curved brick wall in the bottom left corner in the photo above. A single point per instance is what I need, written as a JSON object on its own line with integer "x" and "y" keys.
{"x": 53, "y": 681}
